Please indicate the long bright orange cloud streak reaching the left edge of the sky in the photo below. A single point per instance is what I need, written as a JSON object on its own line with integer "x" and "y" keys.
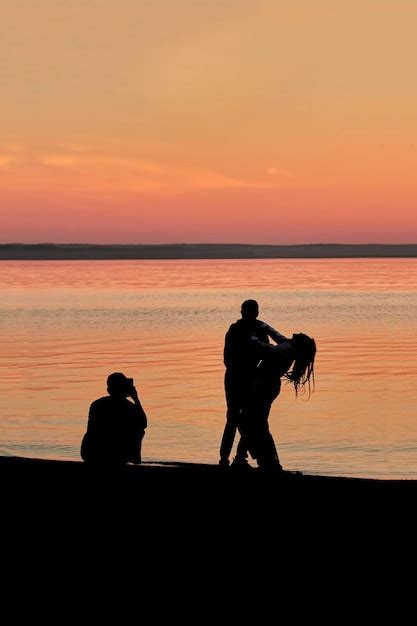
{"x": 87, "y": 167}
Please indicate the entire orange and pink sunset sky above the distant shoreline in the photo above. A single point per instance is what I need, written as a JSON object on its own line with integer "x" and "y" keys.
{"x": 253, "y": 121}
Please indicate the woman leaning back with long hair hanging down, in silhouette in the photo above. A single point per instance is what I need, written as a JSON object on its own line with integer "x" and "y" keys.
{"x": 297, "y": 353}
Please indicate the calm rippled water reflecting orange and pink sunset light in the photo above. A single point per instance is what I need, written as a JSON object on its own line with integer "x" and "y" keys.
{"x": 64, "y": 326}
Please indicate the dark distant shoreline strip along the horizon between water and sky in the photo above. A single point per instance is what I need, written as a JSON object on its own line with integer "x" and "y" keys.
{"x": 49, "y": 252}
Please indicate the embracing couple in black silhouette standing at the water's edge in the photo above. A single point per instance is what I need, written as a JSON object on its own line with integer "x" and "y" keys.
{"x": 254, "y": 368}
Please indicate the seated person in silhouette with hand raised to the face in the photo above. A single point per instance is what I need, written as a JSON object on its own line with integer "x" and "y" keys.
{"x": 116, "y": 425}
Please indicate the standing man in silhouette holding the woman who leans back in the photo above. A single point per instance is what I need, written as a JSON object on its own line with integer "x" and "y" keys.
{"x": 241, "y": 362}
